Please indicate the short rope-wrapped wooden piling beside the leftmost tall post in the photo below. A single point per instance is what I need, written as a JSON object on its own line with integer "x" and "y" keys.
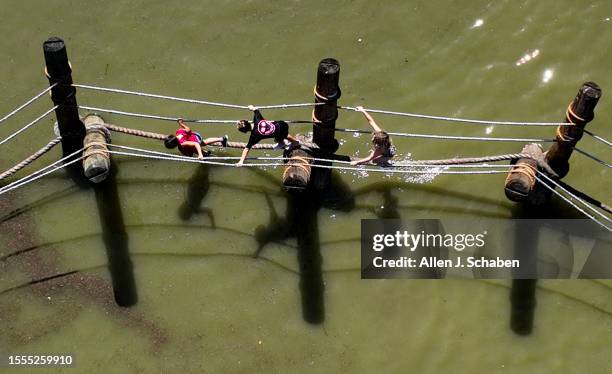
{"x": 96, "y": 161}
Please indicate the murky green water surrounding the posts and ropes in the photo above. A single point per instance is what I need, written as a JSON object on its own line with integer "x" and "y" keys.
{"x": 204, "y": 303}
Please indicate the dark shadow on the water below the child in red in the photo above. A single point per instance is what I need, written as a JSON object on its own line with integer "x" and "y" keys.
{"x": 197, "y": 189}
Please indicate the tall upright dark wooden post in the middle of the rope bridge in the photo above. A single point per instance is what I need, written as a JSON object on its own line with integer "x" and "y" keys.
{"x": 326, "y": 92}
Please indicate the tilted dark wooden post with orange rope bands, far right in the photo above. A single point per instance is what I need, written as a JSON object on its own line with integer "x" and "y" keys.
{"x": 579, "y": 112}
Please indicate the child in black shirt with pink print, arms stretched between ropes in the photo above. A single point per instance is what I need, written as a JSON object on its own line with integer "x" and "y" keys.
{"x": 260, "y": 129}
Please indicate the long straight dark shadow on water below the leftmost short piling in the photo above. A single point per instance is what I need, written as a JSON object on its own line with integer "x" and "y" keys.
{"x": 116, "y": 240}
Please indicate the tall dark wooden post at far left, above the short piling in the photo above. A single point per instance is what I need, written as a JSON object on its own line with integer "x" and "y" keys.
{"x": 59, "y": 72}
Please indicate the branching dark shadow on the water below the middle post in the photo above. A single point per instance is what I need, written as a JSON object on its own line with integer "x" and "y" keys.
{"x": 301, "y": 222}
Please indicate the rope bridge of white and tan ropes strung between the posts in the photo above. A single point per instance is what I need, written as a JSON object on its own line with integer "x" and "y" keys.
{"x": 431, "y": 166}
